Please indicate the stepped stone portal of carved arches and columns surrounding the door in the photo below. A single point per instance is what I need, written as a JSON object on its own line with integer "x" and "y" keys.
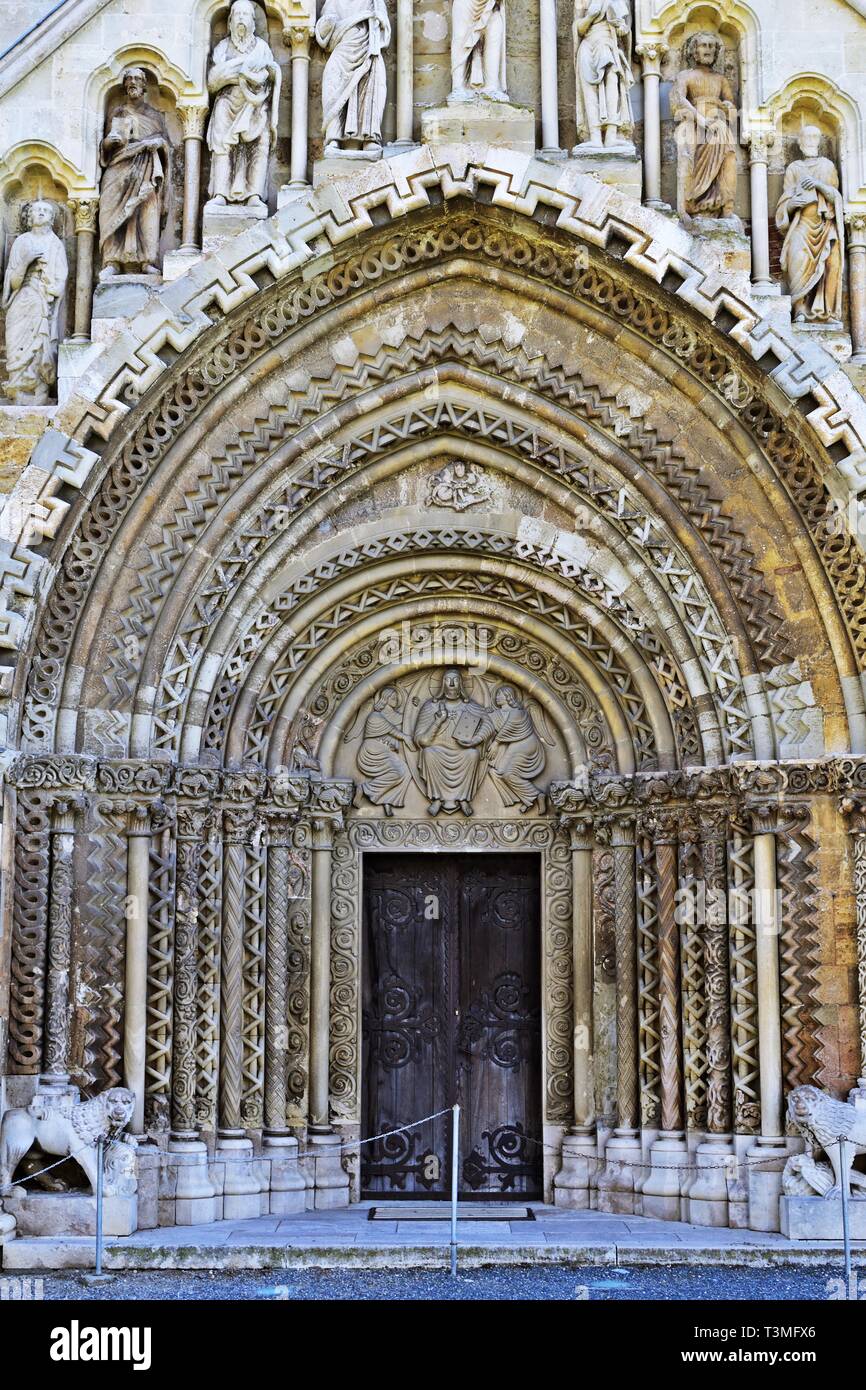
{"x": 248, "y": 534}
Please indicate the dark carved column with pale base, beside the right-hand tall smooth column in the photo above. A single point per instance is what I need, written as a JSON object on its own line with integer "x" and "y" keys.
{"x": 710, "y": 1193}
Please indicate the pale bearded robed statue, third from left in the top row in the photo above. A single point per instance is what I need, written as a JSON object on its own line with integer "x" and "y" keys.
{"x": 245, "y": 84}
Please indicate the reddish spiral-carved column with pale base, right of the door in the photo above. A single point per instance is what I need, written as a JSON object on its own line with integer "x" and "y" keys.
{"x": 662, "y": 1189}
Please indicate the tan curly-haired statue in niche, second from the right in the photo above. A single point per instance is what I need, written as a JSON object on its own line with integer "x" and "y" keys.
{"x": 704, "y": 109}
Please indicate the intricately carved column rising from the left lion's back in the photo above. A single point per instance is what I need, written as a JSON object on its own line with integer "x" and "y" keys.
{"x": 62, "y": 908}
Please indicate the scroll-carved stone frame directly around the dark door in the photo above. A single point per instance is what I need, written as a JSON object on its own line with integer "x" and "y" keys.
{"x": 543, "y": 836}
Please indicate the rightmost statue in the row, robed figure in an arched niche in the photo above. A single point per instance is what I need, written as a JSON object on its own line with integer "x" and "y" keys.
{"x": 811, "y": 216}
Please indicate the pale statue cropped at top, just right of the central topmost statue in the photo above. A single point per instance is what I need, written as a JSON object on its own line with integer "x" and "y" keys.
{"x": 604, "y": 77}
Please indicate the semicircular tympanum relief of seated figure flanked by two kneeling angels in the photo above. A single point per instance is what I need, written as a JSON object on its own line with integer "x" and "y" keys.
{"x": 452, "y": 743}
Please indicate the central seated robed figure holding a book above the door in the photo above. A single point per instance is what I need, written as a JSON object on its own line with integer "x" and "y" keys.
{"x": 452, "y": 733}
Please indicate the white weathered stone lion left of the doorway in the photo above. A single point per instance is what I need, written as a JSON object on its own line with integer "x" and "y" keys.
{"x": 63, "y": 1128}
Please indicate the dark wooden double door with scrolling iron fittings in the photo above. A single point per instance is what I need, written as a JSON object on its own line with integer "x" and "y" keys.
{"x": 452, "y": 1014}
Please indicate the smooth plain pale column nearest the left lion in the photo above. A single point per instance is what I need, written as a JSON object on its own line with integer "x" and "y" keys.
{"x": 136, "y": 981}
